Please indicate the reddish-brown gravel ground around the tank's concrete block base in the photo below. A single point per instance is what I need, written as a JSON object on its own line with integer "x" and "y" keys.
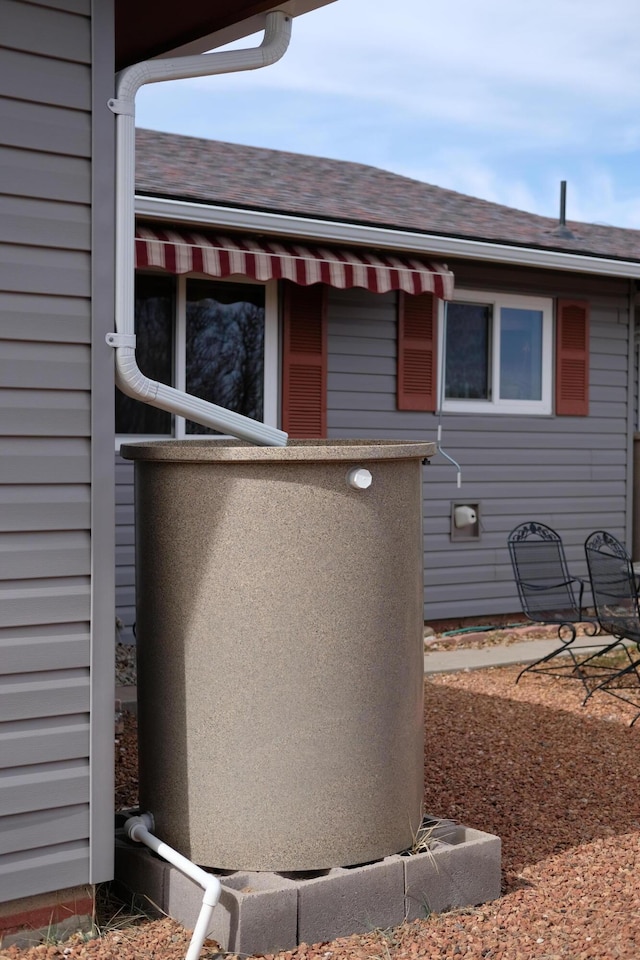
{"x": 559, "y": 783}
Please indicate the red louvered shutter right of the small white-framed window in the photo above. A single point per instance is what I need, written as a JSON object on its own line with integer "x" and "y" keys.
{"x": 572, "y": 358}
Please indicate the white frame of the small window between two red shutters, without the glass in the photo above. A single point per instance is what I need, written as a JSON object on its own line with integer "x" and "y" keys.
{"x": 496, "y": 405}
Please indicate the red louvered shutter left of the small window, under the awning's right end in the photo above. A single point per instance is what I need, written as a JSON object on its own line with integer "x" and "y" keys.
{"x": 417, "y": 351}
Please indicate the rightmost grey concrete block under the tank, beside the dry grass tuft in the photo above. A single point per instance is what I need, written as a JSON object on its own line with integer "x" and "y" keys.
{"x": 459, "y": 872}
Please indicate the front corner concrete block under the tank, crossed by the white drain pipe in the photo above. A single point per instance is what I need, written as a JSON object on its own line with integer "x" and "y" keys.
{"x": 256, "y": 913}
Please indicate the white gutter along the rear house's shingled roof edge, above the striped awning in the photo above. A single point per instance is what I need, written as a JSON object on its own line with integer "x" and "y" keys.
{"x": 382, "y": 237}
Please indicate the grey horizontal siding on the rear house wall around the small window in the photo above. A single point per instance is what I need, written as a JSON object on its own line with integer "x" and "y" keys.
{"x": 571, "y": 472}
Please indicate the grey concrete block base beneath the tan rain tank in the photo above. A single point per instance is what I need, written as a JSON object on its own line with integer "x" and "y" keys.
{"x": 263, "y": 912}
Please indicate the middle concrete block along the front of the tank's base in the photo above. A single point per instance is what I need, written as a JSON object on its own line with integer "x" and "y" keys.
{"x": 351, "y": 900}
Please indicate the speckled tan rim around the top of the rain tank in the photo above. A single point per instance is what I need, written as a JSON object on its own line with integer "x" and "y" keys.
{"x": 296, "y": 451}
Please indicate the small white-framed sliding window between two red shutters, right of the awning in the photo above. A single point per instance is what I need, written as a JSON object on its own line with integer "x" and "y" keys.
{"x": 497, "y": 354}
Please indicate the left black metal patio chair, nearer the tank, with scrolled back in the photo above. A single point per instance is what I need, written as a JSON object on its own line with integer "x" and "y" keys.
{"x": 549, "y": 594}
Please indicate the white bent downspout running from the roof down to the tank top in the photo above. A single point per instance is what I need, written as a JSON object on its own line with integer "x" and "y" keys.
{"x": 129, "y": 377}
